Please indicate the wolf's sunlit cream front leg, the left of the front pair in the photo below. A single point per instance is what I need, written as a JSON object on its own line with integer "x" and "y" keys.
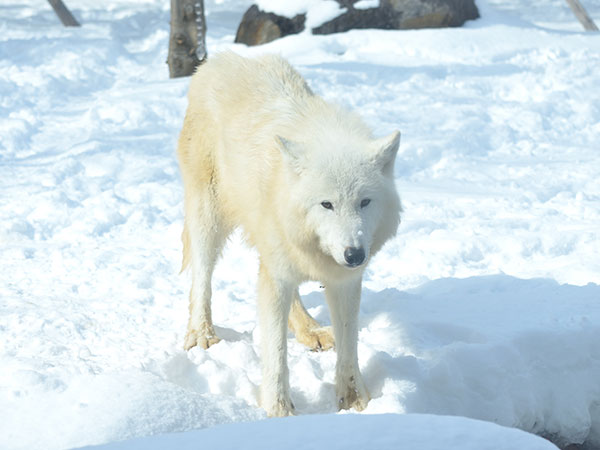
{"x": 274, "y": 300}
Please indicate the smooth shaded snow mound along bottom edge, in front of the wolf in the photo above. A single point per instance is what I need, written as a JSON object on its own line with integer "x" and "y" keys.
{"x": 348, "y": 432}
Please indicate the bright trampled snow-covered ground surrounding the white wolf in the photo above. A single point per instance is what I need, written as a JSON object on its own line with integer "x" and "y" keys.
{"x": 486, "y": 305}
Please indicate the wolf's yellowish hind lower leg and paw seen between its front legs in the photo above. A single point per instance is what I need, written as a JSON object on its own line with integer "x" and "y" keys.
{"x": 307, "y": 330}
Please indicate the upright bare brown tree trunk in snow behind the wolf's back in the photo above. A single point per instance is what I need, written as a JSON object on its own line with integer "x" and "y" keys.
{"x": 187, "y": 47}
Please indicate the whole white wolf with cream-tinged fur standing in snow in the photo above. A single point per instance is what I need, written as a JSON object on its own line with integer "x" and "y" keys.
{"x": 313, "y": 192}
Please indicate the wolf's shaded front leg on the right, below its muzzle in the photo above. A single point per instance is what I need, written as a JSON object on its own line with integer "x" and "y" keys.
{"x": 344, "y": 300}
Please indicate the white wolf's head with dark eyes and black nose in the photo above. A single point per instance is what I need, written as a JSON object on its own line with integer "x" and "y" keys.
{"x": 345, "y": 188}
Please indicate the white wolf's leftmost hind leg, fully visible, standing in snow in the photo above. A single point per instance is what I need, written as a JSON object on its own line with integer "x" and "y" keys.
{"x": 203, "y": 237}
